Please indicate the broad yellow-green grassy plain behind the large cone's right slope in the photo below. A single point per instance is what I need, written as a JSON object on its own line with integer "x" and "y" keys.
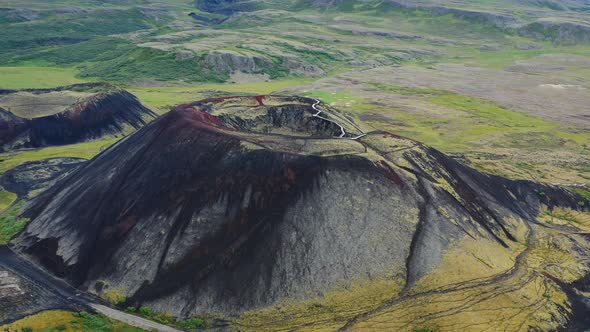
{"x": 459, "y": 121}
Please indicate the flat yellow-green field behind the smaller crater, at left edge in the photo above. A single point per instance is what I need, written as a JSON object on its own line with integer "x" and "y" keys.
{"x": 22, "y": 77}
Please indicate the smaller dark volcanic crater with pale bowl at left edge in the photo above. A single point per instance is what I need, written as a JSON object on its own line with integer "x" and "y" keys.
{"x": 42, "y": 117}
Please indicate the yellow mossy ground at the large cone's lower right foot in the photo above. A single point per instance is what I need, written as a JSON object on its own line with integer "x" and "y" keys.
{"x": 477, "y": 284}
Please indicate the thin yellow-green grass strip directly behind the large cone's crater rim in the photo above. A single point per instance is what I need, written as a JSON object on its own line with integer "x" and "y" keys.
{"x": 162, "y": 98}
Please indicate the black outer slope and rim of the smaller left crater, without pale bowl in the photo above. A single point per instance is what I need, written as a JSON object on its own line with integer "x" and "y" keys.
{"x": 107, "y": 112}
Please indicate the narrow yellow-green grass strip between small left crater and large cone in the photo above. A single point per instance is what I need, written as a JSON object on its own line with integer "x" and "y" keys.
{"x": 85, "y": 150}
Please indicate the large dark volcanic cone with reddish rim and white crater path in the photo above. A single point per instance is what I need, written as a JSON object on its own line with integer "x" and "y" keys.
{"x": 231, "y": 205}
